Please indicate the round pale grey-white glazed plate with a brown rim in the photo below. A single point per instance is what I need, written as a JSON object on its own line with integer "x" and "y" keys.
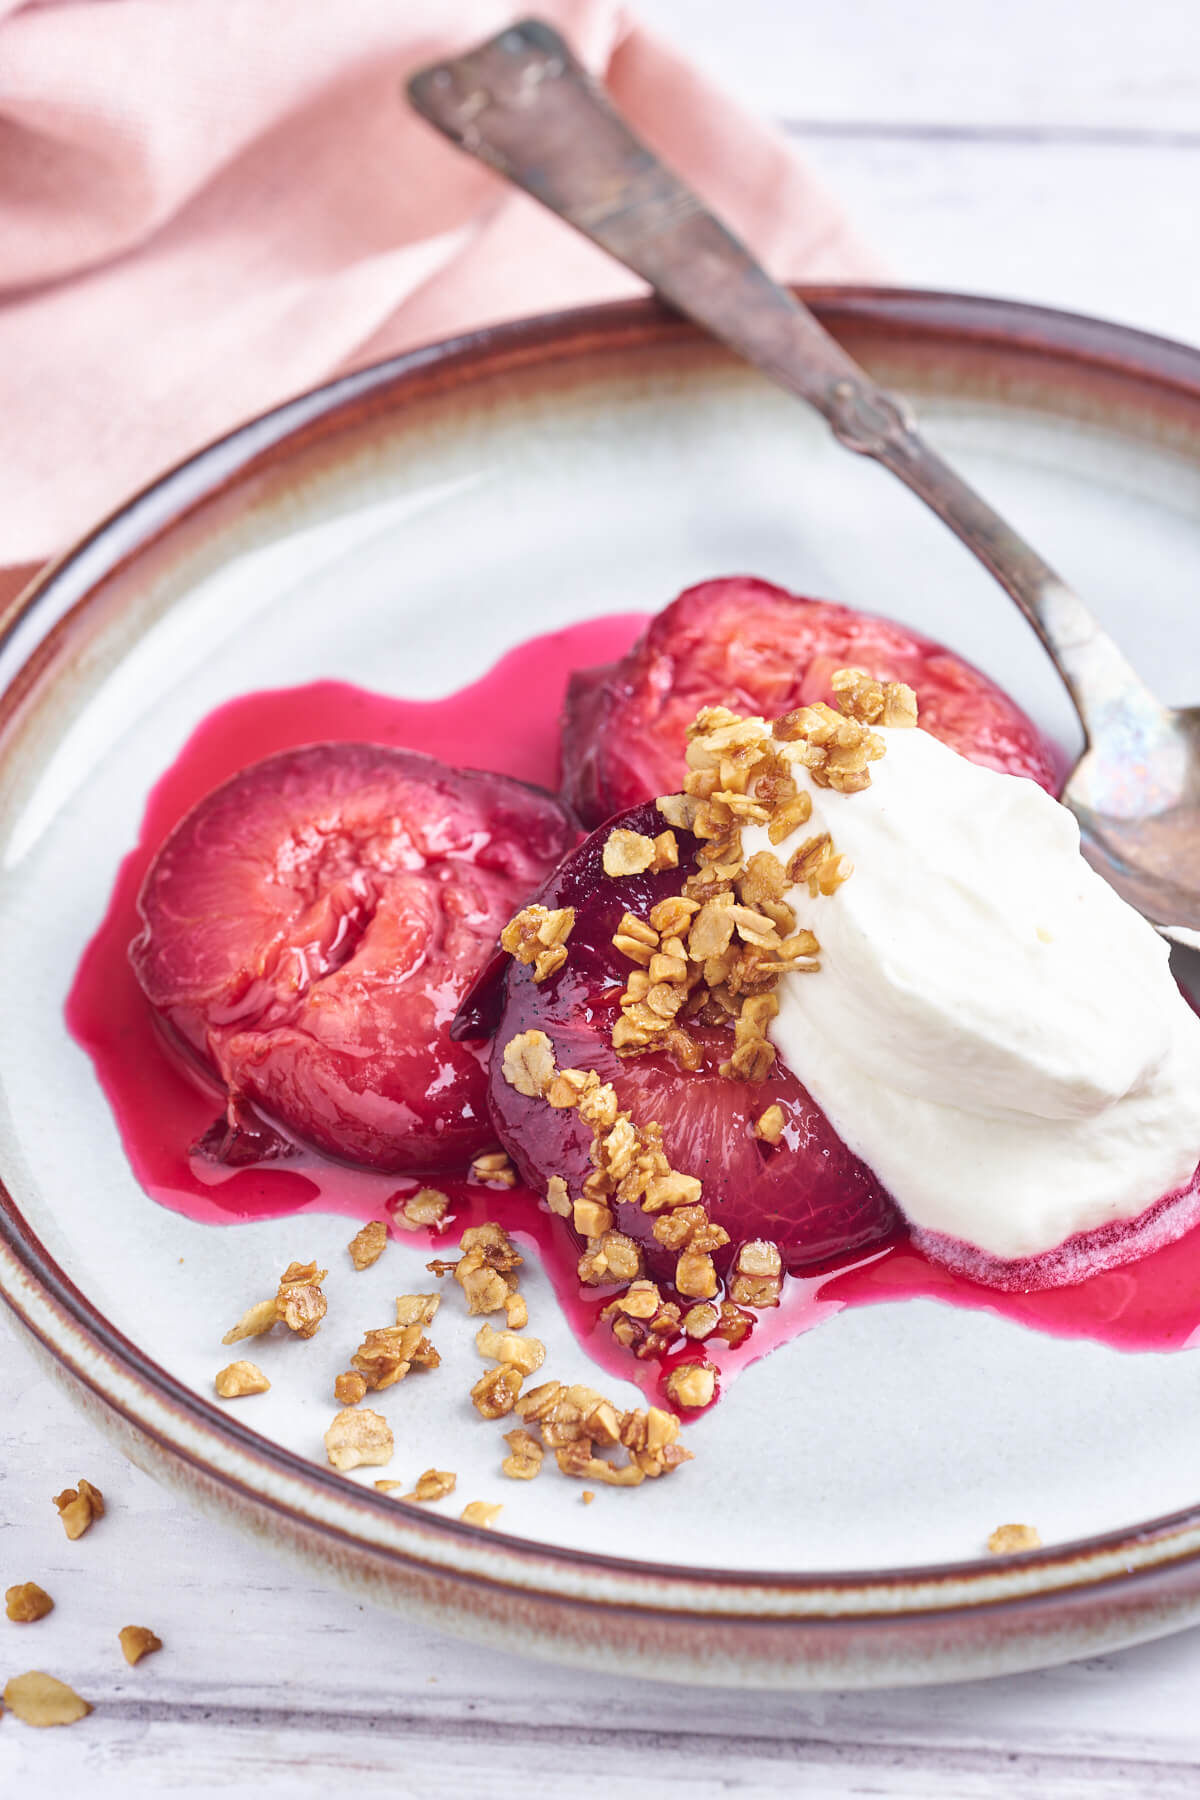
{"x": 404, "y": 530}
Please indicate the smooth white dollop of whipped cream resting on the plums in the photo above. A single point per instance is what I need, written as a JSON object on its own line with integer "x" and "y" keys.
{"x": 992, "y": 1029}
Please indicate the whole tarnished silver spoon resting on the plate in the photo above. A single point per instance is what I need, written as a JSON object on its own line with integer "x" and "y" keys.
{"x": 526, "y": 105}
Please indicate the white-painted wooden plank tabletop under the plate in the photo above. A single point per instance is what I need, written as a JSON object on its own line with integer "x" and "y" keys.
{"x": 1039, "y": 150}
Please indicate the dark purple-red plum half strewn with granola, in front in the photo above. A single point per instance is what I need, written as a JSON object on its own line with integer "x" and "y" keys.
{"x": 809, "y": 1194}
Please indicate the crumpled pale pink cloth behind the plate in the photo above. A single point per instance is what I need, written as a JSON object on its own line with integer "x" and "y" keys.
{"x": 208, "y": 206}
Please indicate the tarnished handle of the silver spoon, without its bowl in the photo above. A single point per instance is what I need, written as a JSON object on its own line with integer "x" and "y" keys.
{"x": 528, "y": 107}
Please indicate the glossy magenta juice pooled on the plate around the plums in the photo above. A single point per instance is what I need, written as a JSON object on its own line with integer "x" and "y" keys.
{"x": 510, "y": 723}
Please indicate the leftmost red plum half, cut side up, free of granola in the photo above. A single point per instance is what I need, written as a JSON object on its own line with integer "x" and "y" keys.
{"x": 310, "y": 930}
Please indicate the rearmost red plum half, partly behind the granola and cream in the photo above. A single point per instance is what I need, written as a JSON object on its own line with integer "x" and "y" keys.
{"x": 749, "y": 645}
